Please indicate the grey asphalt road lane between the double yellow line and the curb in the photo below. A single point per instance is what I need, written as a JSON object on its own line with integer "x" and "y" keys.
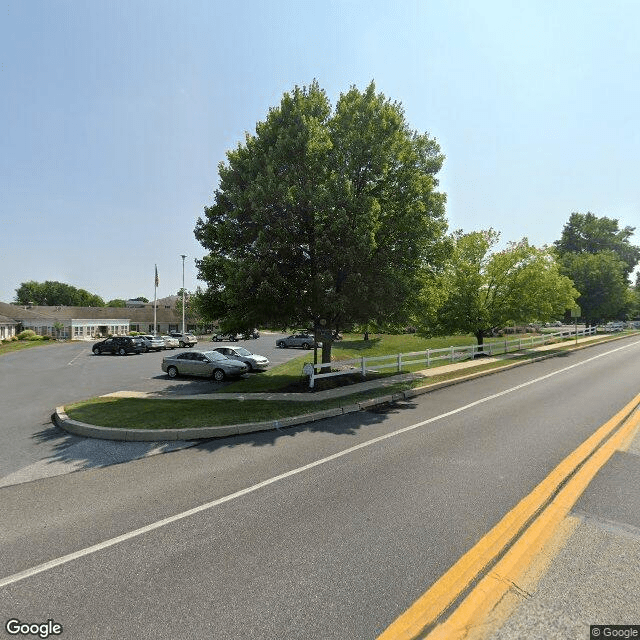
{"x": 329, "y": 531}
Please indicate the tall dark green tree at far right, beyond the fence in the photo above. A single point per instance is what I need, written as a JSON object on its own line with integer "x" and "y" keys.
{"x": 599, "y": 257}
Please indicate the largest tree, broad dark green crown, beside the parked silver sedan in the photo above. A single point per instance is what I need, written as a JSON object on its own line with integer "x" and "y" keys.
{"x": 323, "y": 217}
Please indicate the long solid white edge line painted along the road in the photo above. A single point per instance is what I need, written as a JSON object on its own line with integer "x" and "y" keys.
{"x": 27, "y": 573}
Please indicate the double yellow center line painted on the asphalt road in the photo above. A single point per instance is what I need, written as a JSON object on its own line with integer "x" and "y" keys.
{"x": 503, "y": 554}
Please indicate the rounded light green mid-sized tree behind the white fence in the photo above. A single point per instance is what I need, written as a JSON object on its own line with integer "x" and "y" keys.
{"x": 481, "y": 291}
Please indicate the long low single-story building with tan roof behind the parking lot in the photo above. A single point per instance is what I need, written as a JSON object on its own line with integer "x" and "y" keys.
{"x": 89, "y": 323}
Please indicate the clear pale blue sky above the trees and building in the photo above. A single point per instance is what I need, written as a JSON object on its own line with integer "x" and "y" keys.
{"x": 115, "y": 115}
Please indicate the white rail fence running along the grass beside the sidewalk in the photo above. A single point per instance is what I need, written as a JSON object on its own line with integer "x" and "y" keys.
{"x": 430, "y": 356}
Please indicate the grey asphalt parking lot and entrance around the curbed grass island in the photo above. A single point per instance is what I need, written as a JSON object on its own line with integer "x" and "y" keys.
{"x": 35, "y": 381}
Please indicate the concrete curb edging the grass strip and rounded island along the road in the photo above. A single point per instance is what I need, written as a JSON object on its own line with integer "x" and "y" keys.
{"x": 62, "y": 420}
